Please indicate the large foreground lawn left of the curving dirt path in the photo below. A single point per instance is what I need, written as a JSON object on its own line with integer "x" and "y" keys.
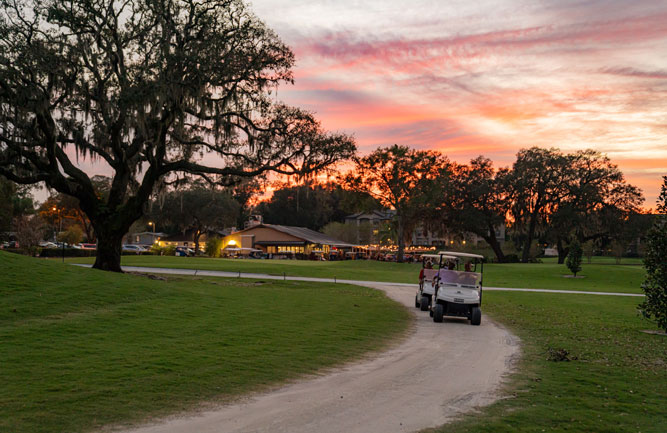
{"x": 81, "y": 349}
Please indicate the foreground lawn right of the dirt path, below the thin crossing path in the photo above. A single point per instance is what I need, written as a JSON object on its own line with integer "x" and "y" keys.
{"x": 615, "y": 382}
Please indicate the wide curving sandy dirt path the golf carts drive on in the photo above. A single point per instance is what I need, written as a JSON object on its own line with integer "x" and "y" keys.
{"x": 439, "y": 371}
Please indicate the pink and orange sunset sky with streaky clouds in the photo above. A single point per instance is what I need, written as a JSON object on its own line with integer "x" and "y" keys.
{"x": 483, "y": 77}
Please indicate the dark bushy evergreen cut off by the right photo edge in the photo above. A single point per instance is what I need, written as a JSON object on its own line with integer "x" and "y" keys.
{"x": 655, "y": 261}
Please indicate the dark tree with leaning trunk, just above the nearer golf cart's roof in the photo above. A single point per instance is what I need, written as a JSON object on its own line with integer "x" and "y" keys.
{"x": 477, "y": 202}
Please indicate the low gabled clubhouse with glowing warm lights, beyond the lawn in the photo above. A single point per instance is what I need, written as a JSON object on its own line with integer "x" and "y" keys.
{"x": 298, "y": 242}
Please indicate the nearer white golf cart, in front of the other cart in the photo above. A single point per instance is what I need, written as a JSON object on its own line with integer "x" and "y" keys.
{"x": 459, "y": 288}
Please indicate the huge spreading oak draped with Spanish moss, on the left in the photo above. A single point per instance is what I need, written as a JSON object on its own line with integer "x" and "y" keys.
{"x": 146, "y": 88}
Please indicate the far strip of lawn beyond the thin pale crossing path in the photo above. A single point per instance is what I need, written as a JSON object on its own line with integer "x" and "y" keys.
{"x": 596, "y": 277}
